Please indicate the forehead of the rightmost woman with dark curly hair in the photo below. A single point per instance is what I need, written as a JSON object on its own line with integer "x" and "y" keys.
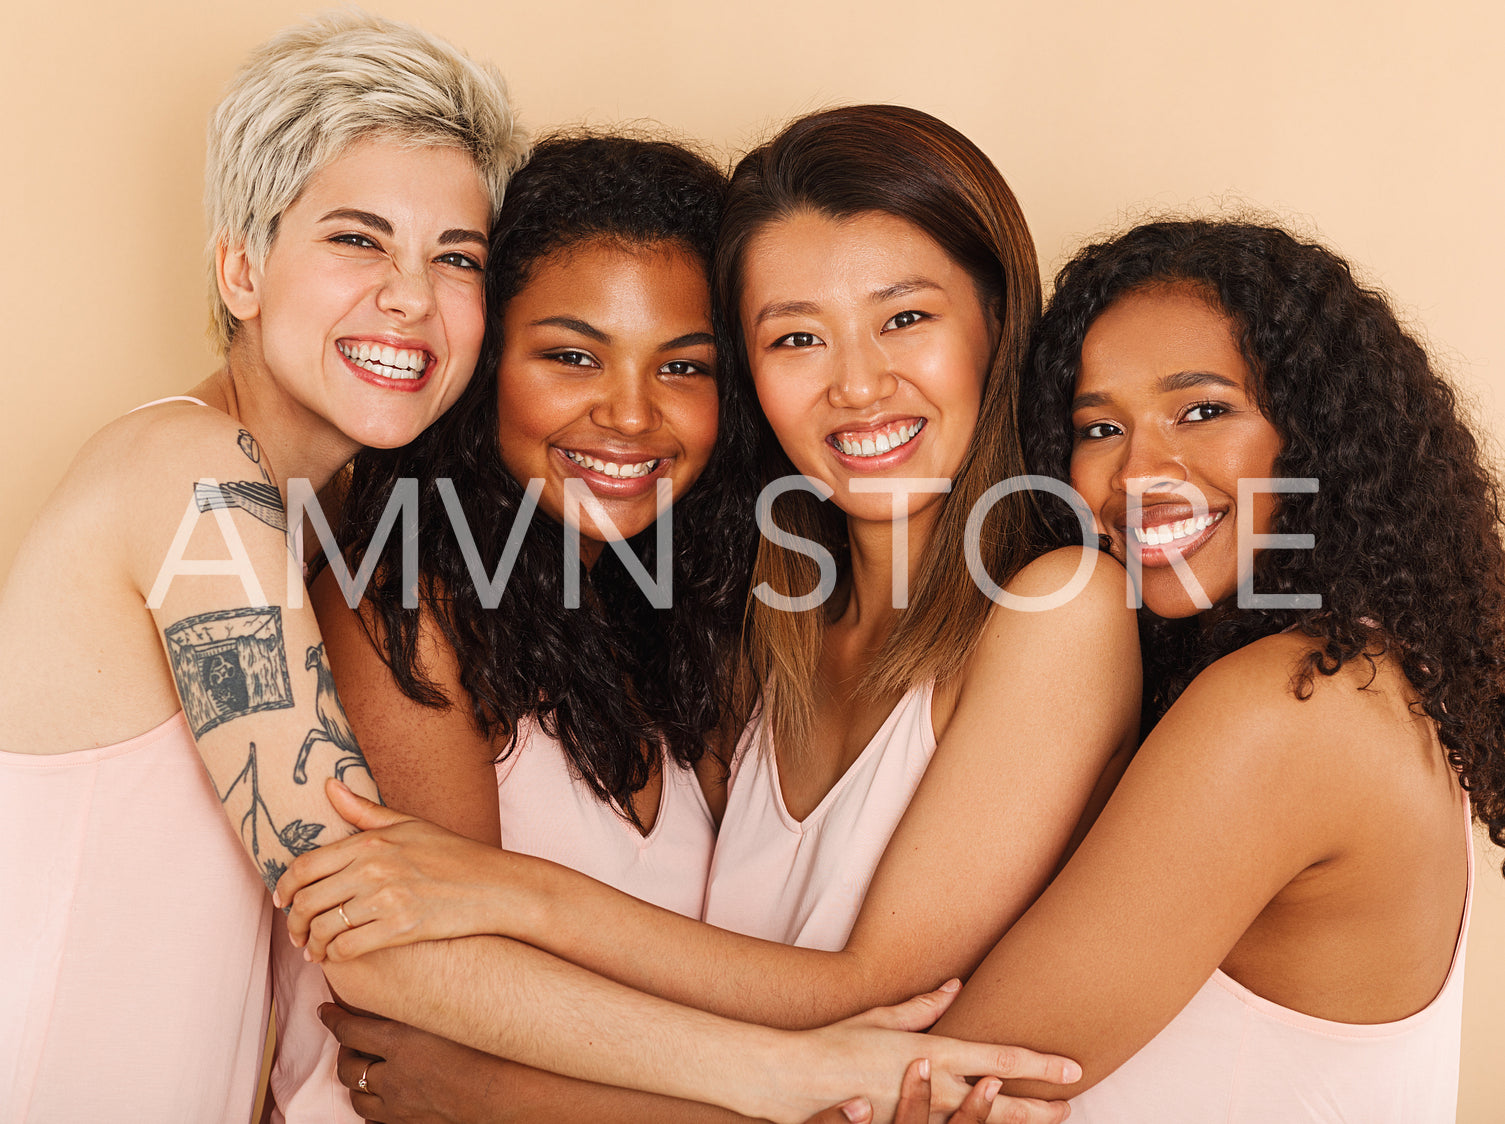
{"x": 1155, "y": 333}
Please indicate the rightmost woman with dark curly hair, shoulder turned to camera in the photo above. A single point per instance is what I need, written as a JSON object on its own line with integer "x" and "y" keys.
{"x": 1269, "y": 919}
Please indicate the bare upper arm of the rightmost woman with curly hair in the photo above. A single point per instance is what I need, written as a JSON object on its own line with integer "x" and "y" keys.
{"x": 1226, "y": 803}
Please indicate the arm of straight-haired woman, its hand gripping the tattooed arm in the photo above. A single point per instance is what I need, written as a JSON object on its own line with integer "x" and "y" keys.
{"x": 1047, "y": 702}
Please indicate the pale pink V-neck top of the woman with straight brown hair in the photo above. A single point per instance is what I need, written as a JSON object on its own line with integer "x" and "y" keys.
{"x": 801, "y": 882}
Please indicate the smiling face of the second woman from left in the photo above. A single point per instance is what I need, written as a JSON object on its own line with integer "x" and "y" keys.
{"x": 609, "y": 353}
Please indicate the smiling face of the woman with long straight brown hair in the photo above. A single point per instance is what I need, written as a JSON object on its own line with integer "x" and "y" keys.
{"x": 856, "y": 327}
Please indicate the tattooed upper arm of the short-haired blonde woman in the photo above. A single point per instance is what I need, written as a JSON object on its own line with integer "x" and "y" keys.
{"x": 210, "y": 556}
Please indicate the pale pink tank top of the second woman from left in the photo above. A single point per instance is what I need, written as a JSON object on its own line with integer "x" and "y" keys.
{"x": 546, "y": 812}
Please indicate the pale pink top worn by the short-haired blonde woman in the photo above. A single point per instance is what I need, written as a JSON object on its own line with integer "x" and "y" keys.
{"x": 133, "y": 940}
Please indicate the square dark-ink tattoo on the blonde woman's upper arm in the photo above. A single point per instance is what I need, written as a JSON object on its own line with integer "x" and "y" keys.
{"x": 228, "y": 664}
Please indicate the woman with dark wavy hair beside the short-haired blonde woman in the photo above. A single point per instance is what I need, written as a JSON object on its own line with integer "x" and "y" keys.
{"x": 509, "y": 696}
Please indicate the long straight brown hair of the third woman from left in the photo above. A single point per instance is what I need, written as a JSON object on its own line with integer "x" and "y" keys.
{"x": 904, "y": 163}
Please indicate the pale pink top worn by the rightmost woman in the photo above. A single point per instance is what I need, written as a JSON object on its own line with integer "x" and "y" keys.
{"x": 1235, "y": 1059}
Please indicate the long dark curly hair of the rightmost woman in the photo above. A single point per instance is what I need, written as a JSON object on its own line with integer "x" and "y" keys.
{"x": 1408, "y": 520}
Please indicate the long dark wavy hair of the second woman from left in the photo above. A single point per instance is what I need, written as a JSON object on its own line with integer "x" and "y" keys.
{"x": 616, "y": 675}
